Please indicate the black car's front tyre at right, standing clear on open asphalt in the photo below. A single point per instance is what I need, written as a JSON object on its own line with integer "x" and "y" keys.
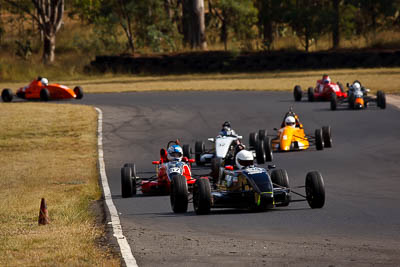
{"x": 315, "y": 190}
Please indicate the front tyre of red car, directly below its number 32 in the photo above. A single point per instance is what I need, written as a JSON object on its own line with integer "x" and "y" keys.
{"x": 179, "y": 194}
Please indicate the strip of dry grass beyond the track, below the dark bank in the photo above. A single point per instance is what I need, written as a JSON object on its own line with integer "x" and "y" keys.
{"x": 386, "y": 79}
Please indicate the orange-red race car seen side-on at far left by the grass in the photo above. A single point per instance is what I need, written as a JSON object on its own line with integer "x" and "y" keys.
{"x": 39, "y": 89}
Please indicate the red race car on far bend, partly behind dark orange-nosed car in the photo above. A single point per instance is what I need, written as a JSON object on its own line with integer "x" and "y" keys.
{"x": 322, "y": 91}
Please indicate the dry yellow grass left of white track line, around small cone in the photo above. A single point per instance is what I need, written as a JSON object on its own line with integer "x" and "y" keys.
{"x": 49, "y": 151}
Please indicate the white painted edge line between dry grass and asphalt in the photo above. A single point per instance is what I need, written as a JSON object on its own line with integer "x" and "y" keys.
{"x": 126, "y": 251}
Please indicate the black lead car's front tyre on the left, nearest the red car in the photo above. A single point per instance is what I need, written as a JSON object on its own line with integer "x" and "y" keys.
{"x": 202, "y": 196}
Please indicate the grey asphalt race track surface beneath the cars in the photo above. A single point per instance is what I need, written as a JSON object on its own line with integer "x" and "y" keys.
{"x": 359, "y": 224}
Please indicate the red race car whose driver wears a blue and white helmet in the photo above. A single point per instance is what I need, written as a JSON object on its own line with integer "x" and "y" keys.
{"x": 173, "y": 167}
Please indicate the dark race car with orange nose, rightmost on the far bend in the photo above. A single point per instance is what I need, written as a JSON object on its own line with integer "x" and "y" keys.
{"x": 358, "y": 98}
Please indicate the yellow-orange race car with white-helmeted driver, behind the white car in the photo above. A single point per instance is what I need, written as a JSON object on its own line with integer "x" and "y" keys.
{"x": 291, "y": 137}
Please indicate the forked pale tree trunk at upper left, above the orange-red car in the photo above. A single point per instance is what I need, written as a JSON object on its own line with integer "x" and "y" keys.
{"x": 48, "y": 14}
